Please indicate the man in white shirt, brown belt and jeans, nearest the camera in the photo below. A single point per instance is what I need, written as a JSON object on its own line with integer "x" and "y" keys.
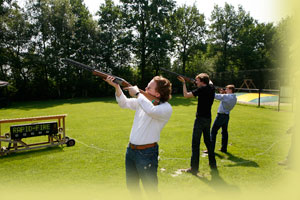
{"x": 142, "y": 151}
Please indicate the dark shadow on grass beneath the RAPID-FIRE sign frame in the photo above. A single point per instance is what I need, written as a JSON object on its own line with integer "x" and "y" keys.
{"x": 30, "y": 153}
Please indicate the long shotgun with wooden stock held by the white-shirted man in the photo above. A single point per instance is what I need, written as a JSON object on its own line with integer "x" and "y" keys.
{"x": 104, "y": 75}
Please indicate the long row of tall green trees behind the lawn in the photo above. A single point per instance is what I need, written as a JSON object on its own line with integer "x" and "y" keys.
{"x": 131, "y": 39}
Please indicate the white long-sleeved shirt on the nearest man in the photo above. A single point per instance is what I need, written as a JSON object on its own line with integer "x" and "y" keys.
{"x": 148, "y": 120}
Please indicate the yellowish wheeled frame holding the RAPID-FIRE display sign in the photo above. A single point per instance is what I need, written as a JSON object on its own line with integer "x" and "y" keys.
{"x": 15, "y": 145}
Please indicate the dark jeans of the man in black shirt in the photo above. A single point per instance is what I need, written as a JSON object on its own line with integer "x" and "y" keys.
{"x": 201, "y": 125}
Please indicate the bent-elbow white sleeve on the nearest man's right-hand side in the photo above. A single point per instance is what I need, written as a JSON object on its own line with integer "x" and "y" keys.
{"x": 160, "y": 112}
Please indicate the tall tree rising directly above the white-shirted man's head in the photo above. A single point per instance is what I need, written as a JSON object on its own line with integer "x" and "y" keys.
{"x": 145, "y": 23}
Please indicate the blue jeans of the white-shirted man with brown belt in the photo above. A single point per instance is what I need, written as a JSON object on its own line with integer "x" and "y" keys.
{"x": 142, "y": 165}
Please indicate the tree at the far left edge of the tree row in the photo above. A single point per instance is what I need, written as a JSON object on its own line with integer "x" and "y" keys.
{"x": 14, "y": 40}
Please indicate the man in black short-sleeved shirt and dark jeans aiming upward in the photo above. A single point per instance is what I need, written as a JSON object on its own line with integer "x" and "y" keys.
{"x": 205, "y": 93}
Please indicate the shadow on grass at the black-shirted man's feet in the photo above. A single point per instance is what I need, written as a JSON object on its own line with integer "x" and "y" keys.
{"x": 217, "y": 182}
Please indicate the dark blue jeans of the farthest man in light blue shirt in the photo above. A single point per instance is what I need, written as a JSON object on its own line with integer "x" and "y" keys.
{"x": 220, "y": 121}
